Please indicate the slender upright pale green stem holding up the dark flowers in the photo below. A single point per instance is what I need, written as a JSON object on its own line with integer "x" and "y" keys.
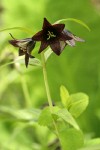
{"x": 48, "y": 92}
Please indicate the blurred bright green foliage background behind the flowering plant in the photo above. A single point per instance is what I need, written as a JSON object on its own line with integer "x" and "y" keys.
{"x": 77, "y": 68}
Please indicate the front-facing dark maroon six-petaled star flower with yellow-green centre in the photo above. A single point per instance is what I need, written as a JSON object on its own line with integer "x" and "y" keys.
{"x": 51, "y": 35}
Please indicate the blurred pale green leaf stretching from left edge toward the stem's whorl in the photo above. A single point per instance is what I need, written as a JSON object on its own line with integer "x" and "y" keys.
{"x": 20, "y": 115}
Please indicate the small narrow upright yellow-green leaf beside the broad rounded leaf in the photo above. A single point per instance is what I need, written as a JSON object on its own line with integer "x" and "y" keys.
{"x": 64, "y": 94}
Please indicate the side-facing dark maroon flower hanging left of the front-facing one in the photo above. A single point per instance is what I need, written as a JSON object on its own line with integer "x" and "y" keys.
{"x": 25, "y": 47}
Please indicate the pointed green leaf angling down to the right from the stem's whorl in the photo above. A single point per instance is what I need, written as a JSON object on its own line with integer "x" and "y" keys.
{"x": 66, "y": 116}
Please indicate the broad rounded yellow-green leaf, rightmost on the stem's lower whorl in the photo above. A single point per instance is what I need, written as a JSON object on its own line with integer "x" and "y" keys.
{"x": 78, "y": 103}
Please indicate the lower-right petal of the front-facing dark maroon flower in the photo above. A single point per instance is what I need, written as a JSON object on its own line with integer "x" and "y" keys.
{"x": 55, "y": 46}
